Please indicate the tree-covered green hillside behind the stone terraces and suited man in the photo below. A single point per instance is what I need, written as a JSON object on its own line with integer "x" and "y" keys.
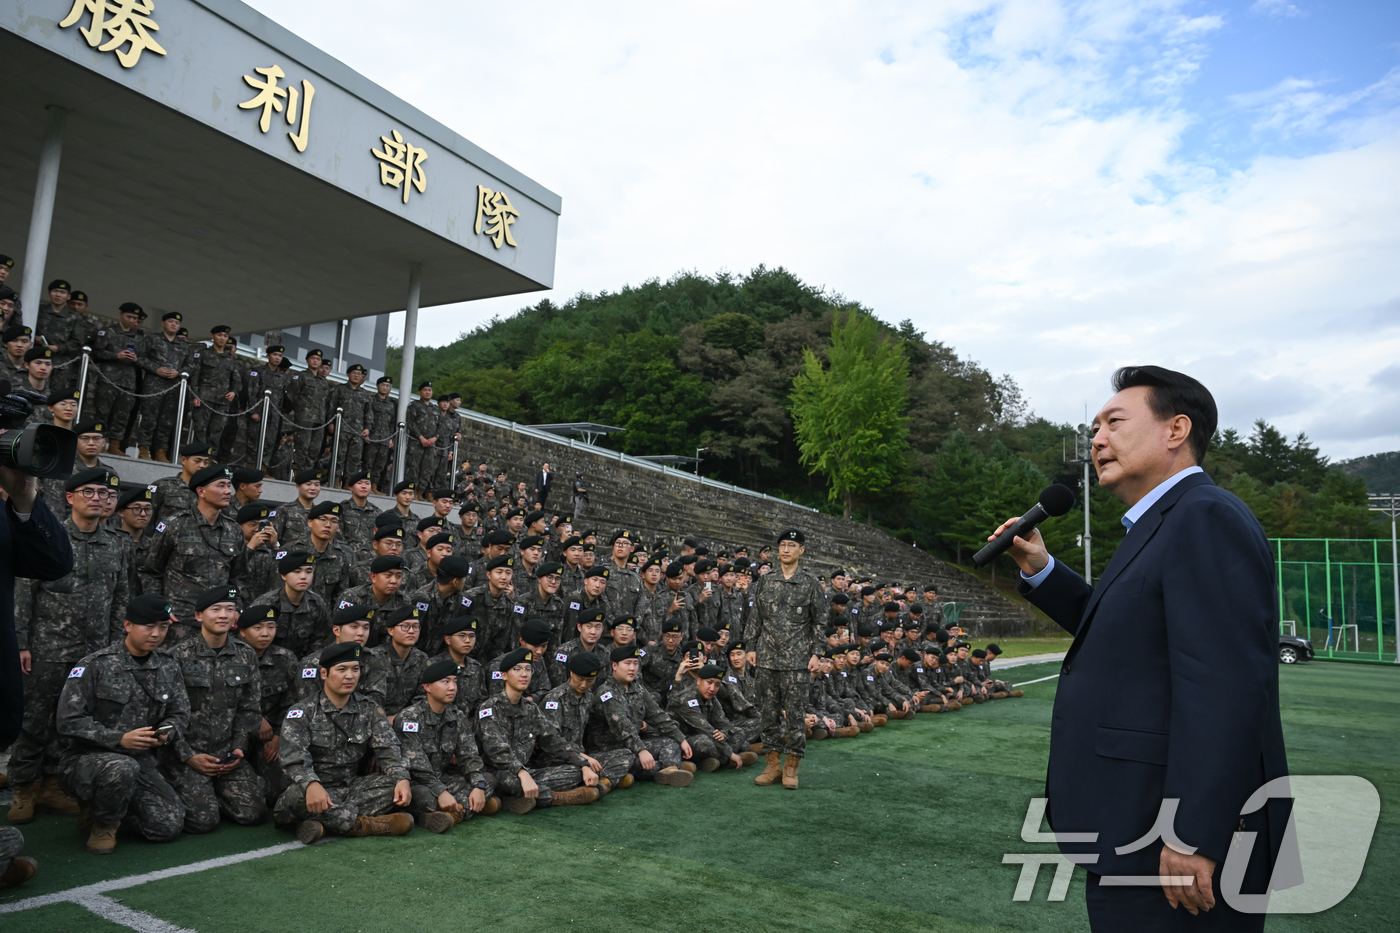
{"x": 807, "y": 396}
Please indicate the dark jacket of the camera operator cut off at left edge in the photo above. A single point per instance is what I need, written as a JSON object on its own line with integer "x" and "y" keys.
{"x": 38, "y": 550}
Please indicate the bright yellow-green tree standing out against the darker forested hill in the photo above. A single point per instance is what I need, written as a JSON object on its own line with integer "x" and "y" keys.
{"x": 849, "y": 415}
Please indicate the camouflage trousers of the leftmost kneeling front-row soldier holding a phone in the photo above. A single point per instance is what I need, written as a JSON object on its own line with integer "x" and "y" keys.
{"x": 127, "y": 791}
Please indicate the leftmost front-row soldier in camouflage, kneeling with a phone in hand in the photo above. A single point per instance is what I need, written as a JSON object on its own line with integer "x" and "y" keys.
{"x": 120, "y": 705}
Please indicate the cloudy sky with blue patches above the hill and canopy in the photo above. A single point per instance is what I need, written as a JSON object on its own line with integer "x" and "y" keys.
{"x": 1053, "y": 188}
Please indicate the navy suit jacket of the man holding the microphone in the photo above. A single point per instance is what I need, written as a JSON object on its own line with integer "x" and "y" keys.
{"x": 1171, "y": 686}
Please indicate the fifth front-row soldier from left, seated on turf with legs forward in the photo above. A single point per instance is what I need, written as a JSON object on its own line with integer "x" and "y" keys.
{"x": 510, "y": 731}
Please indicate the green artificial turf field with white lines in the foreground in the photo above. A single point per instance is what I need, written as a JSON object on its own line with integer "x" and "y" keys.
{"x": 901, "y": 830}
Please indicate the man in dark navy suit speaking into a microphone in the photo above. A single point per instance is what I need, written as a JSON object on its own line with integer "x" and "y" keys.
{"x": 1171, "y": 687}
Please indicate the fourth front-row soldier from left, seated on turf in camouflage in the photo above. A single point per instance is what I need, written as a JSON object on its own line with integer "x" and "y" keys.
{"x": 449, "y": 778}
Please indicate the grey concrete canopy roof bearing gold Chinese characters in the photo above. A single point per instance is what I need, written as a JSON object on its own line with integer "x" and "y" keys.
{"x": 180, "y": 211}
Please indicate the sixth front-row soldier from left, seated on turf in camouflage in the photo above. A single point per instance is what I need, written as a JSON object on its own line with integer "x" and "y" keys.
{"x": 628, "y": 717}
